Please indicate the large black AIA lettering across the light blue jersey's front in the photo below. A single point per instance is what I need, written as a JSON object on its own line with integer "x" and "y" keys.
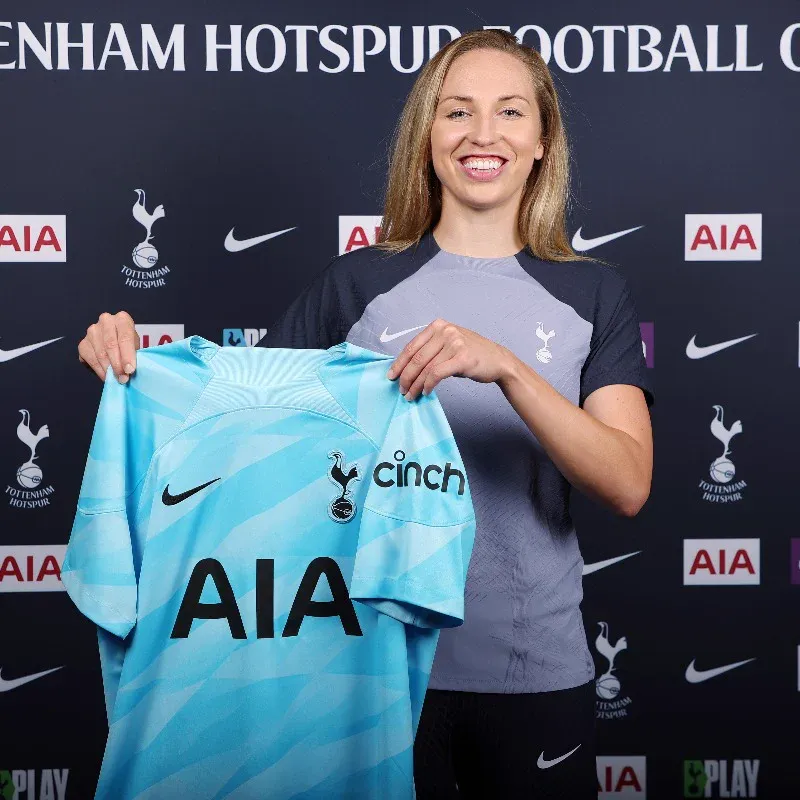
{"x": 303, "y": 606}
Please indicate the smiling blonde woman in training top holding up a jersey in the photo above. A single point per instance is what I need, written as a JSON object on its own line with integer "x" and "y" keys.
{"x": 474, "y": 261}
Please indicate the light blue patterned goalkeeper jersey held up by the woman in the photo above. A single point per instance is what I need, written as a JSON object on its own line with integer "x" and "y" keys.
{"x": 269, "y": 541}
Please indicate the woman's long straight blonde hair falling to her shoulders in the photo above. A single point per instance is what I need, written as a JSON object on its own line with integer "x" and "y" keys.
{"x": 414, "y": 194}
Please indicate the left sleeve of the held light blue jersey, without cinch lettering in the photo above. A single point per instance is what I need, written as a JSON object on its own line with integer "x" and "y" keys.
{"x": 103, "y": 556}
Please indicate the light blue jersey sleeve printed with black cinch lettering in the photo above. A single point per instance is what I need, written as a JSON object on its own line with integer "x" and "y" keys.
{"x": 417, "y": 524}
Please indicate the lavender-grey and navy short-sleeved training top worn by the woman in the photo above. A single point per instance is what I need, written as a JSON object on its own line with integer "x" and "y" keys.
{"x": 575, "y": 323}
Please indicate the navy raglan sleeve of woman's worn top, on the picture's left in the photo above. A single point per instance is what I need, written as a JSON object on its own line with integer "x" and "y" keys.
{"x": 334, "y": 301}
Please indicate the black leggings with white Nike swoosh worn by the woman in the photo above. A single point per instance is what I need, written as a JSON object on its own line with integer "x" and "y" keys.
{"x": 478, "y": 745}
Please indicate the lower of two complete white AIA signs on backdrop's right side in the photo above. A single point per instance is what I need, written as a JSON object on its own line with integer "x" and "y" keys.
{"x": 721, "y": 562}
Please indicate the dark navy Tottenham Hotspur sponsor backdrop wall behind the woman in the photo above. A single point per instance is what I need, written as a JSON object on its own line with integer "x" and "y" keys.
{"x": 197, "y": 163}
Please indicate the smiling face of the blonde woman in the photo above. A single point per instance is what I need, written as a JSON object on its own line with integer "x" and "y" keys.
{"x": 486, "y": 134}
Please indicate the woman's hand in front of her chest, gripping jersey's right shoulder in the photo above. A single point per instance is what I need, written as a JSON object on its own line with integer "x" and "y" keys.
{"x": 442, "y": 350}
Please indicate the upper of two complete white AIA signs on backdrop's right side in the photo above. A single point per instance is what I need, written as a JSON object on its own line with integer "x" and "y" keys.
{"x": 722, "y": 237}
